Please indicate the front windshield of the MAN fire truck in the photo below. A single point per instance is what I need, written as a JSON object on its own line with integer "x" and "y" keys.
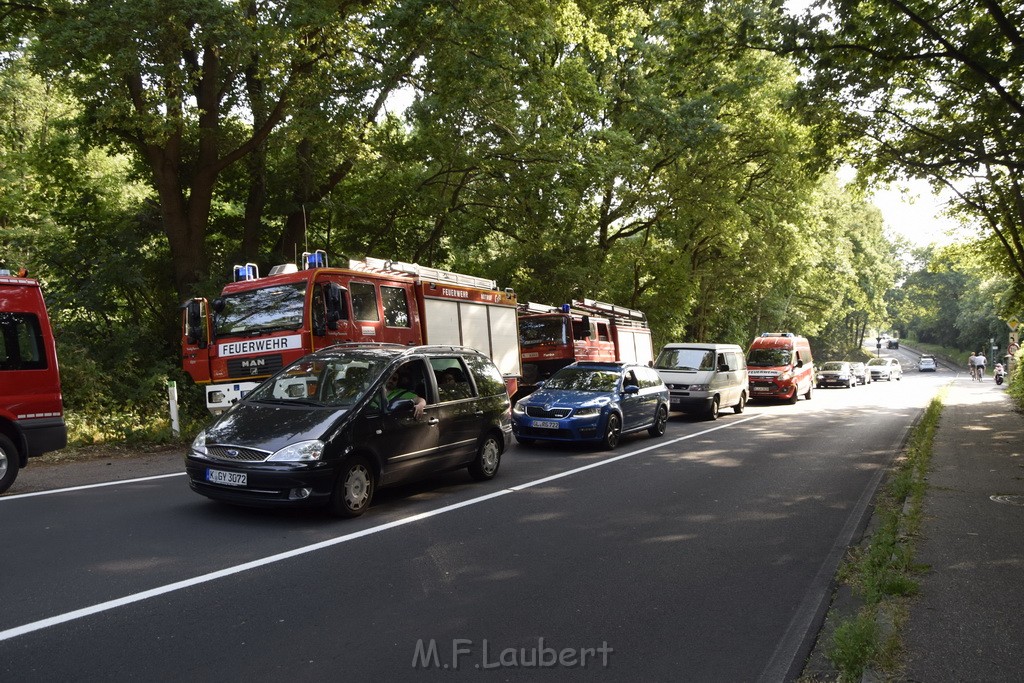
{"x": 262, "y": 311}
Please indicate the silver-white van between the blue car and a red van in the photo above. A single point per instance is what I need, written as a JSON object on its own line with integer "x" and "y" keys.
{"x": 704, "y": 378}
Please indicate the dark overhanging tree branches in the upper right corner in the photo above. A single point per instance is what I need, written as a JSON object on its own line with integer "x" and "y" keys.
{"x": 928, "y": 90}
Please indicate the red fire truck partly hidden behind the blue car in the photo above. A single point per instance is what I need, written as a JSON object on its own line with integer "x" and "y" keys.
{"x": 585, "y": 330}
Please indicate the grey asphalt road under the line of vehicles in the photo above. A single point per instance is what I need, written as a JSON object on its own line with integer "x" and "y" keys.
{"x": 707, "y": 554}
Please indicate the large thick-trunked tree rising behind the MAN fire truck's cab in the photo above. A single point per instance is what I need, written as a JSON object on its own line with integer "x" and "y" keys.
{"x": 194, "y": 88}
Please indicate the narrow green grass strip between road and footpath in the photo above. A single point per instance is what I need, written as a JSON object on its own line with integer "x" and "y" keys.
{"x": 881, "y": 572}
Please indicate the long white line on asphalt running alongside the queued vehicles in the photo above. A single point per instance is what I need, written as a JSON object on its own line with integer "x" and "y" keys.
{"x": 214, "y": 576}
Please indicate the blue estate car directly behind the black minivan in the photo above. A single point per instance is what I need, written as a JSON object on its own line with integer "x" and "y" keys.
{"x": 593, "y": 402}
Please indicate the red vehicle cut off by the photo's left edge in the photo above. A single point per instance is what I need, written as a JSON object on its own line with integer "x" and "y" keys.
{"x": 31, "y": 405}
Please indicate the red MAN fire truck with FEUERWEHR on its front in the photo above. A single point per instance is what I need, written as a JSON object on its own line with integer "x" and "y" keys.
{"x": 260, "y": 325}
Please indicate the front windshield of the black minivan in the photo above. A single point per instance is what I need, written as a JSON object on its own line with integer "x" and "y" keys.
{"x": 335, "y": 381}
